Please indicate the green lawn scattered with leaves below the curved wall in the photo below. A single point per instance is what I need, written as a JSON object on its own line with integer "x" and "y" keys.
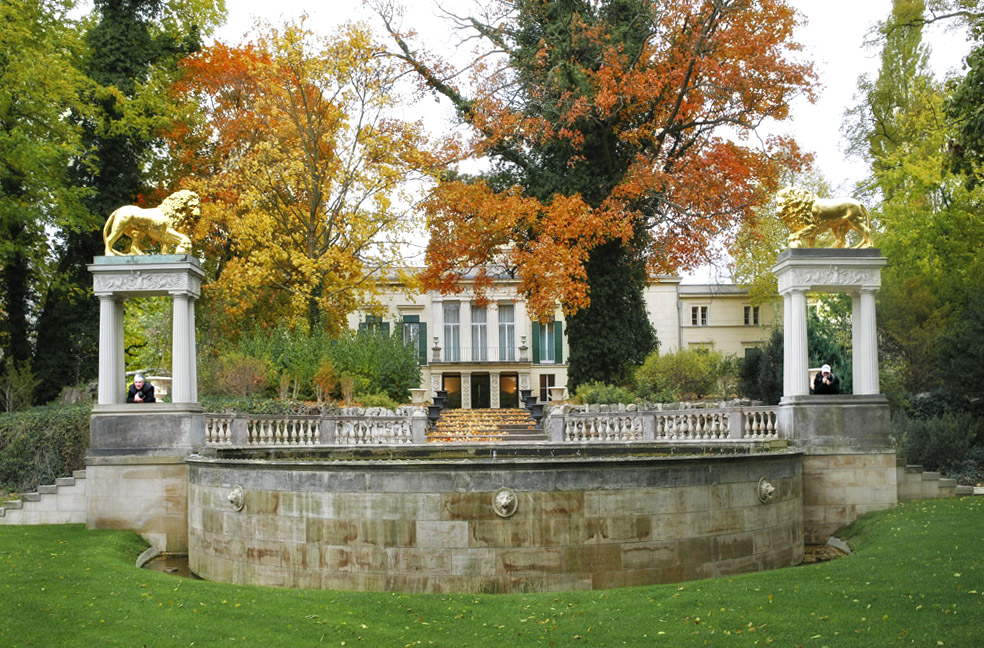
{"x": 917, "y": 579}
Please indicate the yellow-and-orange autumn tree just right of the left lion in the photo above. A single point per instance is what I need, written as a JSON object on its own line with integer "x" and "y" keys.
{"x": 306, "y": 175}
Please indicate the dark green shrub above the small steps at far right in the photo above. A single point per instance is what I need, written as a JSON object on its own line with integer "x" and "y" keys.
{"x": 939, "y": 442}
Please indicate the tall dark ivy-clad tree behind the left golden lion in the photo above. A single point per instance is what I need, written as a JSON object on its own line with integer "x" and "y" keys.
{"x": 132, "y": 47}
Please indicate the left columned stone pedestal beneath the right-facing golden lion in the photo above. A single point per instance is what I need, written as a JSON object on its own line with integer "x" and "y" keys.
{"x": 136, "y": 469}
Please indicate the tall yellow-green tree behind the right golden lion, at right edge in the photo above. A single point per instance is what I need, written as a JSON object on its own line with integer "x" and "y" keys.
{"x": 928, "y": 217}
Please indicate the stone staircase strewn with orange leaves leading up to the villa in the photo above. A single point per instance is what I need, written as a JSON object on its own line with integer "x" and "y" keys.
{"x": 485, "y": 425}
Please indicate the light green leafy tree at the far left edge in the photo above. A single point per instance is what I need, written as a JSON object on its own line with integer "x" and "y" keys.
{"x": 39, "y": 84}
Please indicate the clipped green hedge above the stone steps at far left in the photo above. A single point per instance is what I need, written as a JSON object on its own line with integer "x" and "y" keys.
{"x": 40, "y": 444}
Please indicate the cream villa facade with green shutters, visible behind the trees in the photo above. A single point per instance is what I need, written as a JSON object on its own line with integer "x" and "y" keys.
{"x": 483, "y": 355}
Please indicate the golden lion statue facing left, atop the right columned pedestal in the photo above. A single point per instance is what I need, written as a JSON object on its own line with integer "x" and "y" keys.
{"x": 806, "y": 216}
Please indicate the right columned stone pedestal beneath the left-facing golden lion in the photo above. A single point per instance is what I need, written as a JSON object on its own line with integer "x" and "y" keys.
{"x": 849, "y": 465}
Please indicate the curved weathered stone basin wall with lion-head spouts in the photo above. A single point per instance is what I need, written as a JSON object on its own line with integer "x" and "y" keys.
{"x": 431, "y": 525}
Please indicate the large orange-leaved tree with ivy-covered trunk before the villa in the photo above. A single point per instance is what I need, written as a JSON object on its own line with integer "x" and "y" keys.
{"x": 623, "y": 145}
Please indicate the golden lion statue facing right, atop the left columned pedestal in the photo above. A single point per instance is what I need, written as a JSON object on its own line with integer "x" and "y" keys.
{"x": 157, "y": 224}
